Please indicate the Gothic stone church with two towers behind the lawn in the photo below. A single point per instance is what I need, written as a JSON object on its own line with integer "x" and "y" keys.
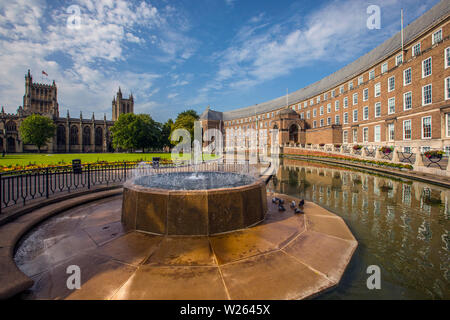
{"x": 72, "y": 135}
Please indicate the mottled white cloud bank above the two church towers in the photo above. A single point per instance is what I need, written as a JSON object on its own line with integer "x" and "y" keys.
{"x": 34, "y": 35}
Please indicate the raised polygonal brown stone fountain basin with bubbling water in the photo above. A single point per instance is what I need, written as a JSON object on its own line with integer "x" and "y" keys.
{"x": 193, "y": 203}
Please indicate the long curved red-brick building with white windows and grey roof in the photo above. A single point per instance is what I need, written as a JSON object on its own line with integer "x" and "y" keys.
{"x": 389, "y": 96}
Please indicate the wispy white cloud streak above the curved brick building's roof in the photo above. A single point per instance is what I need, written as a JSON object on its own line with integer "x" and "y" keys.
{"x": 262, "y": 50}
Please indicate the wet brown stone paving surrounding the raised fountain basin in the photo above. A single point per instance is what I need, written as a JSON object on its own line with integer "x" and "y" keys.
{"x": 288, "y": 256}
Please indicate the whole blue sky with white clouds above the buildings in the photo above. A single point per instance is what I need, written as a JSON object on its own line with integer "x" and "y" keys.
{"x": 175, "y": 55}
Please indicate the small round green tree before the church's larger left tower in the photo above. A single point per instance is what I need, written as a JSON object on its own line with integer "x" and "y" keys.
{"x": 37, "y": 130}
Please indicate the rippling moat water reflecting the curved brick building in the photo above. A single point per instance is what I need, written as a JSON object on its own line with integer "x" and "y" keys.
{"x": 401, "y": 225}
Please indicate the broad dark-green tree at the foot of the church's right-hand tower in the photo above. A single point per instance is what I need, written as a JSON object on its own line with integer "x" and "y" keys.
{"x": 131, "y": 132}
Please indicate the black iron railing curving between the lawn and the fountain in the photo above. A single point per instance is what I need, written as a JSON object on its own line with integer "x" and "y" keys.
{"x": 20, "y": 187}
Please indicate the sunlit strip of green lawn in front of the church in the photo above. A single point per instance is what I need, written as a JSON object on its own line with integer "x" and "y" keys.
{"x": 66, "y": 158}
